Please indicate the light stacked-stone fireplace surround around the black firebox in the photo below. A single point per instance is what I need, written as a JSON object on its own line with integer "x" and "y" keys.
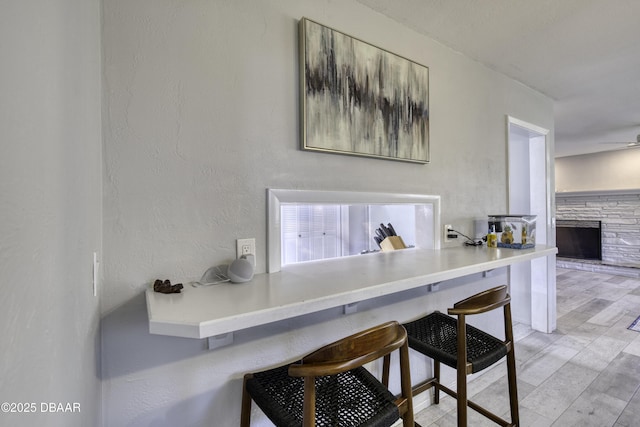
{"x": 619, "y": 211}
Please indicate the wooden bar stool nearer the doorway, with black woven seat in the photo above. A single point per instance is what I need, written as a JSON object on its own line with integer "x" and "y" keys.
{"x": 467, "y": 349}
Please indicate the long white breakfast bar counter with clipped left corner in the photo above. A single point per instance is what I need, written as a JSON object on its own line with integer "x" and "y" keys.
{"x": 311, "y": 287}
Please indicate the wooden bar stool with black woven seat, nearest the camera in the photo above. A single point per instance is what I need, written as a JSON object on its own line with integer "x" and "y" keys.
{"x": 330, "y": 387}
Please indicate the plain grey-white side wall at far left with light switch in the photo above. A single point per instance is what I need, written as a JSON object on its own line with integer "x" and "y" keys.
{"x": 50, "y": 208}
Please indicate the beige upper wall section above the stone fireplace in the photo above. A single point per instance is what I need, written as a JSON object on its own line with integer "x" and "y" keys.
{"x": 609, "y": 170}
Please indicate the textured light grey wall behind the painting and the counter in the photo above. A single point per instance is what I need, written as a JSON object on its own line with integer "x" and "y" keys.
{"x": 201, "y": 117}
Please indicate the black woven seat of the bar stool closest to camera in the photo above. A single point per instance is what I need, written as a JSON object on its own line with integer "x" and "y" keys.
{"x": 351, "y": 398}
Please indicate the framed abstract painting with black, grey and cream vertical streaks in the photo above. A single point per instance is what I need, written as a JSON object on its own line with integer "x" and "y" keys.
{"x": 359, "y": 99}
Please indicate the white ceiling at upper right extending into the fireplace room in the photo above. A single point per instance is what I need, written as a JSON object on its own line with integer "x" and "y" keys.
{"x": 584, "y": 54}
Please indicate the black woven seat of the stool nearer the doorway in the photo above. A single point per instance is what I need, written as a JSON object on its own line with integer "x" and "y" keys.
{"x": 435, "y": 335}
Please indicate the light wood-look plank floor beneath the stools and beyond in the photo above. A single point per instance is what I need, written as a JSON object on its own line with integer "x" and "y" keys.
{"x": 586, "y": 373}
